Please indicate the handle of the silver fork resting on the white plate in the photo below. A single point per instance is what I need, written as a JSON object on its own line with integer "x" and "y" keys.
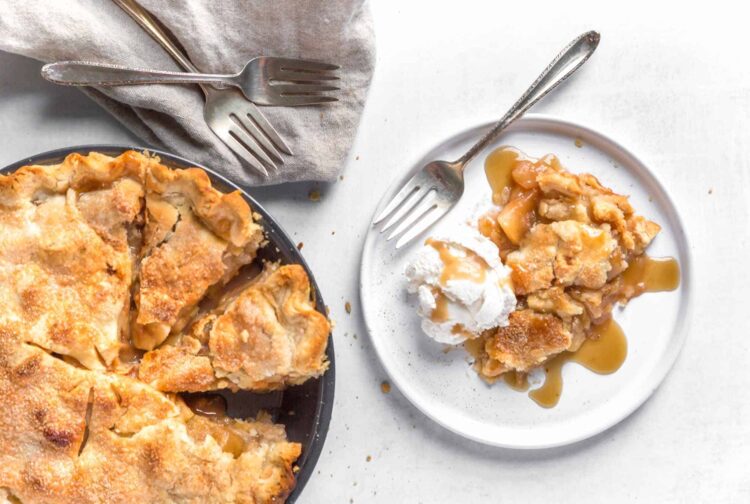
{"x": 568, "y": 61}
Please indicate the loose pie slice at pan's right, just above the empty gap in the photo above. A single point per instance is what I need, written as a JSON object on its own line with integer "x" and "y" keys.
{"x": 269, "y": 337}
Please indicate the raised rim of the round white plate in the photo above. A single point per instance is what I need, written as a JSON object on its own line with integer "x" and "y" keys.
{"x": 679, "y": 331}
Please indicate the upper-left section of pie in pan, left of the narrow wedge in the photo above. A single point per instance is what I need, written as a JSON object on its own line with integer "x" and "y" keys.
{"x": 65, "y": 261}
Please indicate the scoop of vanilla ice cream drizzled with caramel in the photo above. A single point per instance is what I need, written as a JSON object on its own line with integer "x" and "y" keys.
{"x": 469, "y": 306}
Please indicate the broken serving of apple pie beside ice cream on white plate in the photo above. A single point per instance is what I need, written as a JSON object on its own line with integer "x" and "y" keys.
{"x": 567, "y": 240}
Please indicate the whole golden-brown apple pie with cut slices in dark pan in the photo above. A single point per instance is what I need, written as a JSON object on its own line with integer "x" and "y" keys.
{"x": 104, "y": 265}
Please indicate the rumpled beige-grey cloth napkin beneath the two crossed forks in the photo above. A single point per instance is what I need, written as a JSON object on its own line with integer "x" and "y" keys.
{"x": 219, "y": 37}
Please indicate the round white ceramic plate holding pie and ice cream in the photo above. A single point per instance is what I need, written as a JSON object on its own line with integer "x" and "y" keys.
{"x": 443, "y": 385}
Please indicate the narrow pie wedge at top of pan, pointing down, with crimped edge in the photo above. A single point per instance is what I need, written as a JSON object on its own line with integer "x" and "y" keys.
{"x": 195, "y": 238}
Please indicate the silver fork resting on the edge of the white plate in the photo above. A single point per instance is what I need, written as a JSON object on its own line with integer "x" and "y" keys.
{"x": 438, "y": 186}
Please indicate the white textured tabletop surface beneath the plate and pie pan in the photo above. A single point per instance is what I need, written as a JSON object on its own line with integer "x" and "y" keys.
{"x": 670, "y": 82}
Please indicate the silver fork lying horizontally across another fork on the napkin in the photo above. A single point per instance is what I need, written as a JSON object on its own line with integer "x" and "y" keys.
{"x": 265, "y": 80}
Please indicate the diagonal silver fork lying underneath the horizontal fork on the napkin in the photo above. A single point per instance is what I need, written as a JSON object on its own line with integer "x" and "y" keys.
{"x": 236, "y": 121}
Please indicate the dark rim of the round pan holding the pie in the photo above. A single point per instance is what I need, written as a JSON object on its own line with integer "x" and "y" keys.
{"x": 327, "y": 385}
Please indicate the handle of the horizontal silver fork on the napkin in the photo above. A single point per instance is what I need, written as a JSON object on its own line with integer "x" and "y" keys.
{"x": 84, "y": 73}
